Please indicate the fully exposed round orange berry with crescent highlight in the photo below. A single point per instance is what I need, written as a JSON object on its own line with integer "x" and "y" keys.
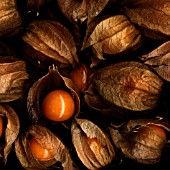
{"x": 58, "y": 105}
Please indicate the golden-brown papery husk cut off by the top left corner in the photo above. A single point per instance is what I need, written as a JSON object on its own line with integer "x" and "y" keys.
{"x": 10, "y": 18}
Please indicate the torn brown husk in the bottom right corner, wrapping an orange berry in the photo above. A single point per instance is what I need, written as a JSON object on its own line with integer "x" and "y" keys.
{"x": 140, "y": 142}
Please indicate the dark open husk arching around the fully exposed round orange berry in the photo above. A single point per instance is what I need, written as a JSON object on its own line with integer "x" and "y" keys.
{"x": 53, "y": 80}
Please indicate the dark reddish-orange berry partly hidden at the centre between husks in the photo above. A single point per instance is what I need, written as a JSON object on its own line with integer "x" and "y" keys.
{"x": 79, "y": 76}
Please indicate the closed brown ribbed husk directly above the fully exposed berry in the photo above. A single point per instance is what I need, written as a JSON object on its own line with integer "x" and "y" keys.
{"x": 50, "y": 42}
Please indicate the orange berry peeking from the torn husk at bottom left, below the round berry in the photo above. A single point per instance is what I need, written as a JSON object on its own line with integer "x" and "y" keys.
{"x": 38, "y": 151}
